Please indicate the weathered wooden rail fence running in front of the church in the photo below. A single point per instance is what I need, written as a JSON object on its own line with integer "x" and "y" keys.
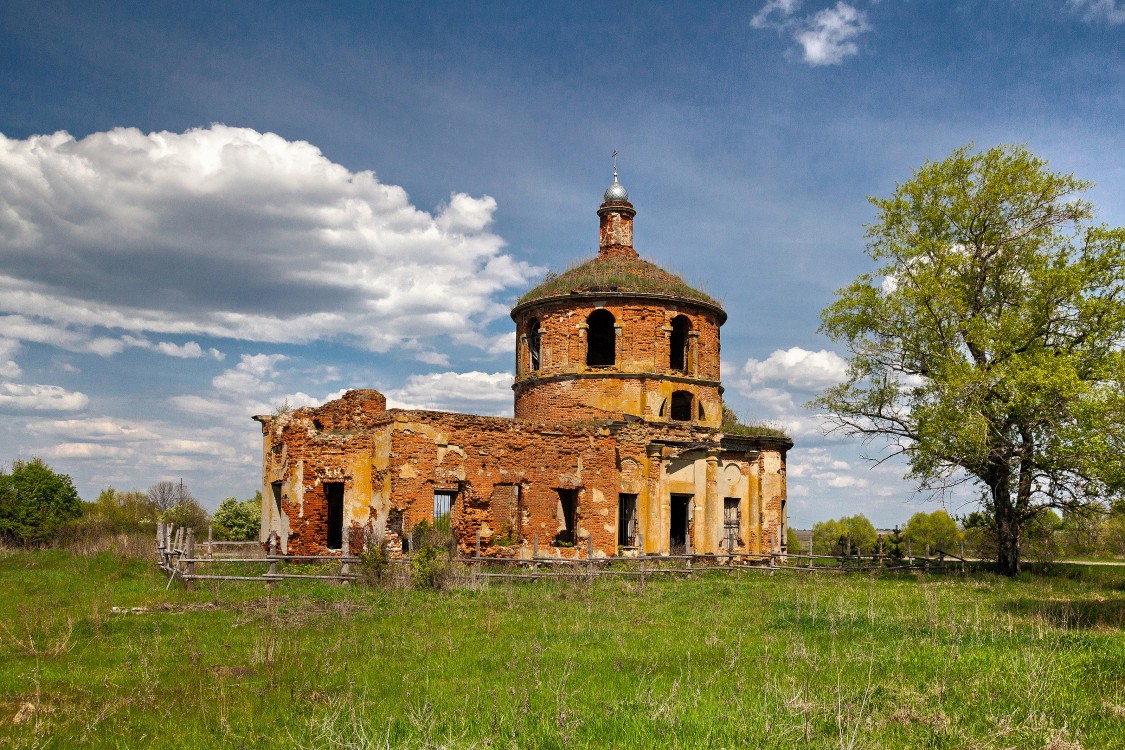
{"x": 179, "y": 556}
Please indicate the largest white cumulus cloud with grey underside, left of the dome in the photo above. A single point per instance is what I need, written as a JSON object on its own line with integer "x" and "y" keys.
{"x": 233, "y": 233}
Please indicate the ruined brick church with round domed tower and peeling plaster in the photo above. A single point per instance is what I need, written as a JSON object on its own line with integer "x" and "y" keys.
{"x": 618, "y": 444}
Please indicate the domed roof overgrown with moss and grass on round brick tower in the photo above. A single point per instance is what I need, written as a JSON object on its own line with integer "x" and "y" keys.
{"x": 619, "y": 275}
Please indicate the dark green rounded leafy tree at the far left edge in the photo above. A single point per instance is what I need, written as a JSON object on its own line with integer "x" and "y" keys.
{"x": 35, "y": 502}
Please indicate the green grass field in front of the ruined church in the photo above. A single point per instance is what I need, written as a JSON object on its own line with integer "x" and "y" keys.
{"x": 750, "y": 661}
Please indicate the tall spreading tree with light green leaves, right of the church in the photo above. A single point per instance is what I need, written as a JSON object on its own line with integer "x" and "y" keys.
{"x": 987, "y": 345}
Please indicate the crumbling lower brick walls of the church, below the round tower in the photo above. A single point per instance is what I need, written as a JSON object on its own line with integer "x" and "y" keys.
{"x": 391, "y": 463}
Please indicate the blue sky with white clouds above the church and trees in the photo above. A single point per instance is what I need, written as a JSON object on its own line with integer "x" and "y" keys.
{"x": 209, "y": 211}
